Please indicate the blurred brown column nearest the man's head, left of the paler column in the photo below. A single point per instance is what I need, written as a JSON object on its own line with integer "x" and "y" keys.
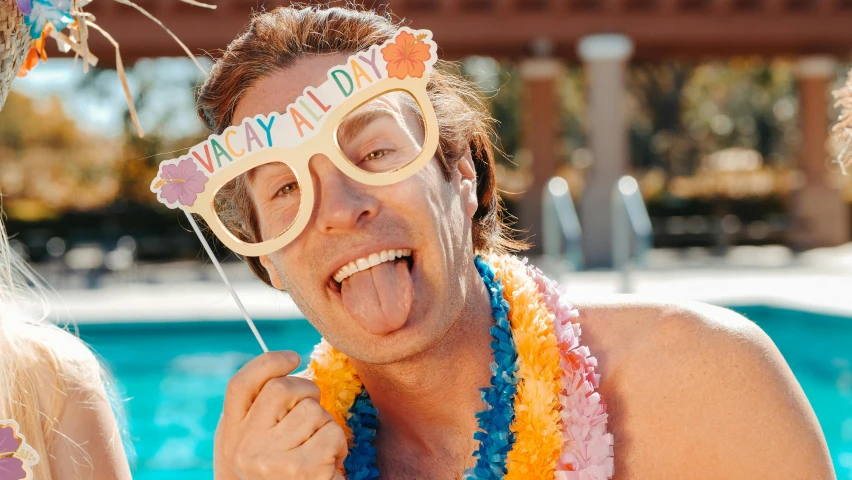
{"x": 539, "y": 138}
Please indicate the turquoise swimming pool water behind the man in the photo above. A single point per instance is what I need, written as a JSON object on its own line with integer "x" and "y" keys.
{"x": 173, "y": 377}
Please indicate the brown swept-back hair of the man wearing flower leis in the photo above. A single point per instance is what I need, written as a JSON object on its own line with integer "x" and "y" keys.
{"x": 275, "y": 40}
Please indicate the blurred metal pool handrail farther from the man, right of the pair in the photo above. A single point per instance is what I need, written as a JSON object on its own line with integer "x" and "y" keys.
{"x": 630, "y": 221}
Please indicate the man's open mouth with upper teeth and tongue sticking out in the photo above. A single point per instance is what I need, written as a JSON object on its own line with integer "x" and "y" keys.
{"x": 377, "y": 290}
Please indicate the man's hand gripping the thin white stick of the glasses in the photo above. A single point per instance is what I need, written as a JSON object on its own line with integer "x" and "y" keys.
{"x": 273, "y": 426}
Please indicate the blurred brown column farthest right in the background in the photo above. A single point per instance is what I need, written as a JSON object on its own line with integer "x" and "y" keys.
{"x": 821, "y": 216}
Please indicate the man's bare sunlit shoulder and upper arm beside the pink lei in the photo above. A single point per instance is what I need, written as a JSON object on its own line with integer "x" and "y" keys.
{"x": 698, "y": 391}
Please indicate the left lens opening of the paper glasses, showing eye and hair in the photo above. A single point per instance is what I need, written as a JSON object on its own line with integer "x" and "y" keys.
{"x": 260, "y": 204}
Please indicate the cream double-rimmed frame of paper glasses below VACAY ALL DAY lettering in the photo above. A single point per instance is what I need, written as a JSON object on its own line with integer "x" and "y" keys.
{"x": 324, "y": 142}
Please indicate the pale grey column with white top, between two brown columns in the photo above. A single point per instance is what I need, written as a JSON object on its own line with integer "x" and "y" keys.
{"x": 605, "y": 58}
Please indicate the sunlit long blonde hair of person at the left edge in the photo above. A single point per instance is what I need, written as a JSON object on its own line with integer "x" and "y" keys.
{"x": 41, "y": 364}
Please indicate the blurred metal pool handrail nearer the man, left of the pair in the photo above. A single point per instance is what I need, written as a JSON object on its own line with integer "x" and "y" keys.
{"x": 565, "y": 231}
